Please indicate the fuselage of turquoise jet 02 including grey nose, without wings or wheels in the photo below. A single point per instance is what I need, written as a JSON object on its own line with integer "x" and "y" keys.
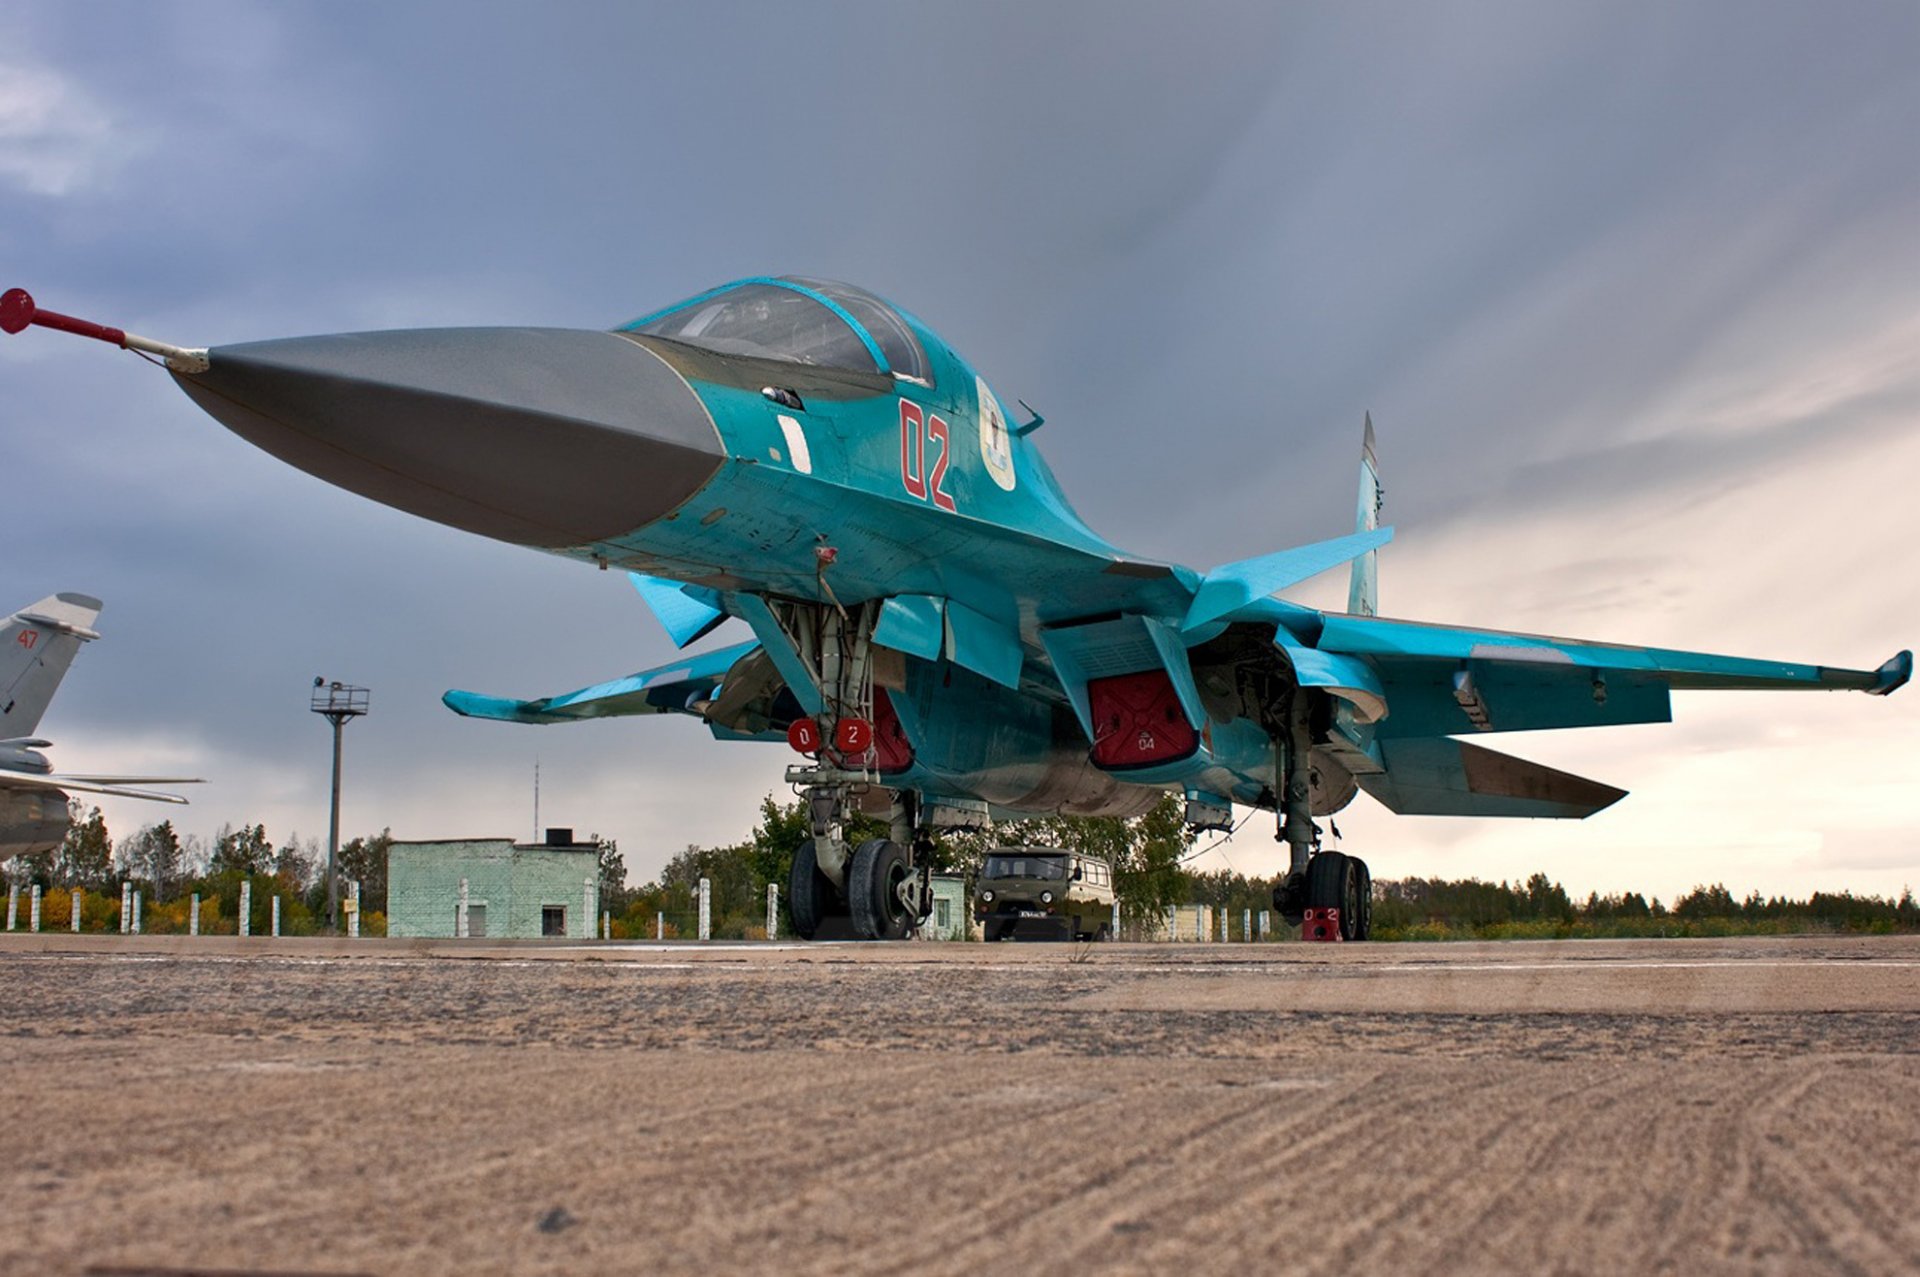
{"x": 775, "y": 439}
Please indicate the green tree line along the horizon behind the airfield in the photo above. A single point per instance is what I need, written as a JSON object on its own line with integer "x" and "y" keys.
{"x": 1151, "y": 859}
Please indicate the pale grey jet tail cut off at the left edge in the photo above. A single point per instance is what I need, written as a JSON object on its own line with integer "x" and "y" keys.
{"x": 37, "y": 644}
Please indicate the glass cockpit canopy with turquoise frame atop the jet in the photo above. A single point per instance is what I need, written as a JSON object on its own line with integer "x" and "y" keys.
{"x": 800, "y": 320}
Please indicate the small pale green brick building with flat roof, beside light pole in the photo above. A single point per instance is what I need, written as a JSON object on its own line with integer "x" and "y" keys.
{"x": 512, "y": 890}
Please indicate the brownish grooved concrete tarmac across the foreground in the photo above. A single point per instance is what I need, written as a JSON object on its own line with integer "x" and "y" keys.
{"x": 473, "y": 1107}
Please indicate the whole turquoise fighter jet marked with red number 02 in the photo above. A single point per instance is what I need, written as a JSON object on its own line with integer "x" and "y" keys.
{"x": 934, "y": 629}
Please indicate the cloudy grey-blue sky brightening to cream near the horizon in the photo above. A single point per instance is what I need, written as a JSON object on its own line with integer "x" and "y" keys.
{"x": 1631, "y": 291}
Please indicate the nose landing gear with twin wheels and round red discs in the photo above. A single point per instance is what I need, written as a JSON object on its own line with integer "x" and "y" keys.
{"x": 884, "y": 888}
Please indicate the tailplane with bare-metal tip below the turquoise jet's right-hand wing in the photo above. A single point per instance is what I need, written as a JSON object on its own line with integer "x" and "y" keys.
{"x": 1441, "y": 777}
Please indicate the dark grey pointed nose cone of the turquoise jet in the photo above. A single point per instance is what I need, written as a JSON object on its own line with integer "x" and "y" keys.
{"x": 539, "y": 437}
